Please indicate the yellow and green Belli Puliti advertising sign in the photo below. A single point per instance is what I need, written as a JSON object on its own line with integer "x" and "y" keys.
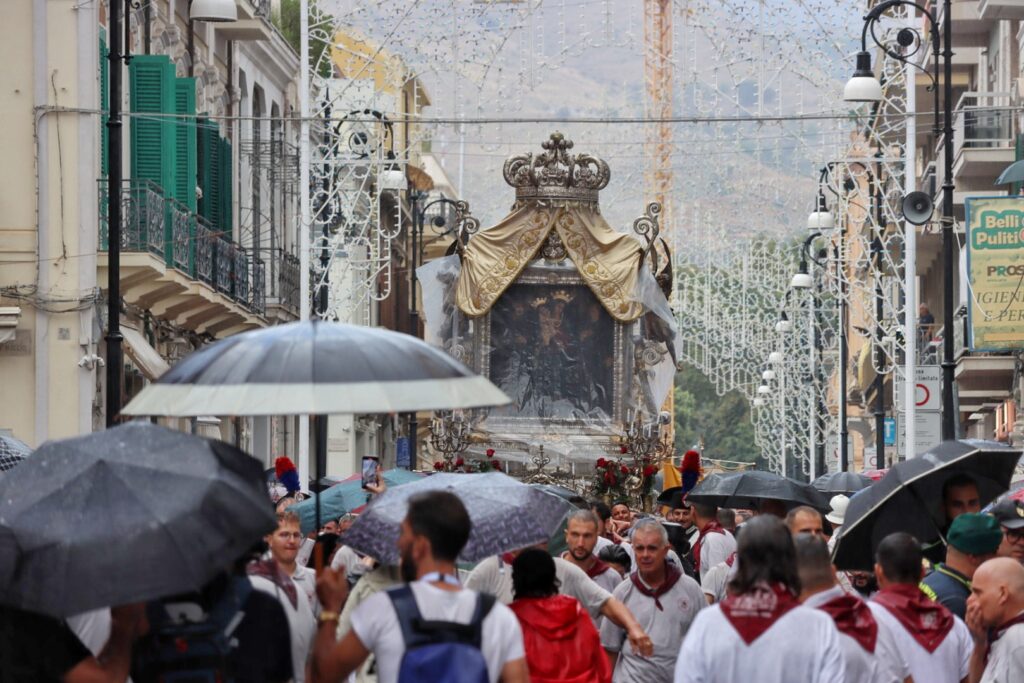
{"x": 996, "y": 273}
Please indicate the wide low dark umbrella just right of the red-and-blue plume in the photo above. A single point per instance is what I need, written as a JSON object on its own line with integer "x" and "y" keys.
{"x": 748, "y": 489}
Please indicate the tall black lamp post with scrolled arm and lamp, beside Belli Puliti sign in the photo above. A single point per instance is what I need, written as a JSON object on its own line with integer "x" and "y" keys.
{"x": 864, "y": 88}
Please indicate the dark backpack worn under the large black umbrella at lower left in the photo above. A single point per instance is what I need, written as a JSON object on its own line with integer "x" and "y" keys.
{"x": 185, "y": 652}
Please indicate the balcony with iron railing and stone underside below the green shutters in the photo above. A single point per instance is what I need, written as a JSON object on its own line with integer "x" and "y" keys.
{"x": 180, "y": 268}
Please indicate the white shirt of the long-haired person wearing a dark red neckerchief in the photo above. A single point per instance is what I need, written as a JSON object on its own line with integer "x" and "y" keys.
{"x": 802, "y": 647}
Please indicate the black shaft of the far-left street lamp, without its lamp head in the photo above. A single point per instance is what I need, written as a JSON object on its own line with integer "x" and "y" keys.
{"x": 115, "y": 363}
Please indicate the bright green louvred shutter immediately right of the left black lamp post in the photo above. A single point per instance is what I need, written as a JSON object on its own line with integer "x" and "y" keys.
{"x": 153, "y": 139}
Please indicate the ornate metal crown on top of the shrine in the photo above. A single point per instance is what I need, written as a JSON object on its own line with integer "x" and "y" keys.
{"x": 556, "y": 175}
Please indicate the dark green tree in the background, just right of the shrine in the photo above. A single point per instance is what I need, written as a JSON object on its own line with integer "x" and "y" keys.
{"x": 724, "y": 422}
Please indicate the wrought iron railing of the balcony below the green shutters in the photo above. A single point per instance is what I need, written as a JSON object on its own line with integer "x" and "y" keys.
{"x": 163, "y": 227}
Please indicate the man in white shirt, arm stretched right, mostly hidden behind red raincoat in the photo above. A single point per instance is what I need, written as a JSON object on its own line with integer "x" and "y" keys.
{"x": 494, "y": 576}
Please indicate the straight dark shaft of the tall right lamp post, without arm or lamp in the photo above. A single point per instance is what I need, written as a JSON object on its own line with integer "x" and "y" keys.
{"x": 950, "y": 419}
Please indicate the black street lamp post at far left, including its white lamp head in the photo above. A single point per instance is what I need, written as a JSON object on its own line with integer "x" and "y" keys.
{"x": 199, "y": 11}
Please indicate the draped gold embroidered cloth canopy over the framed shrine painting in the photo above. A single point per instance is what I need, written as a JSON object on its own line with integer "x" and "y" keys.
{"x": 608, "y": 261}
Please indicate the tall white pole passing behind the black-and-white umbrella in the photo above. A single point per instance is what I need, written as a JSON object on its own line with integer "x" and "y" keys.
{"x": 305, "y": 219}
